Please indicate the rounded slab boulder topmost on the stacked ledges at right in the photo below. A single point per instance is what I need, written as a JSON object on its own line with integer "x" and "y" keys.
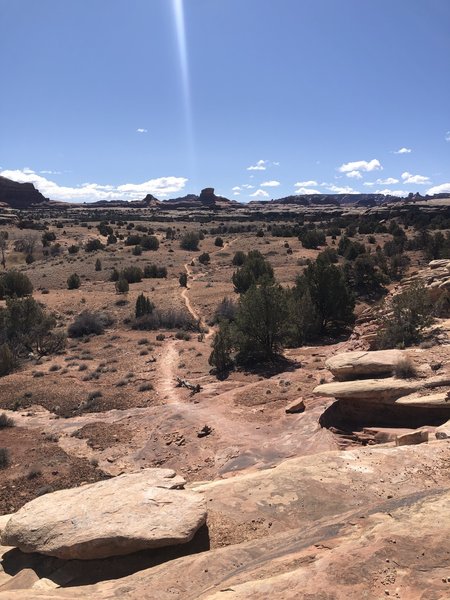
{"x": 353, "y": 365}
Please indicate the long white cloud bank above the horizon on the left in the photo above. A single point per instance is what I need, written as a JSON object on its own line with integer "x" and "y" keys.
{"x": 90, "y": 192}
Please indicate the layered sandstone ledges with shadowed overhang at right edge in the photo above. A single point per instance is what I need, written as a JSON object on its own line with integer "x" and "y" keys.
{"x": 384, "y": 401}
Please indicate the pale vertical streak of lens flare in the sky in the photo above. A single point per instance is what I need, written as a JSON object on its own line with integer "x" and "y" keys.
{"x": 180, "y": 30}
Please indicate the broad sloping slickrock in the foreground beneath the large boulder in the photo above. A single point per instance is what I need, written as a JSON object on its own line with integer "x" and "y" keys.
{"x": 339, "y": 525}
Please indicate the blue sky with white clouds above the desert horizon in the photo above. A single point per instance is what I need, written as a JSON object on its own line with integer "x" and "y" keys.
{"x": 260, "y": 99}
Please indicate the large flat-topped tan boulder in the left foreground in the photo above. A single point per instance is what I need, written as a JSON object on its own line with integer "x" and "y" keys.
{"x": 149, "y": 509}
